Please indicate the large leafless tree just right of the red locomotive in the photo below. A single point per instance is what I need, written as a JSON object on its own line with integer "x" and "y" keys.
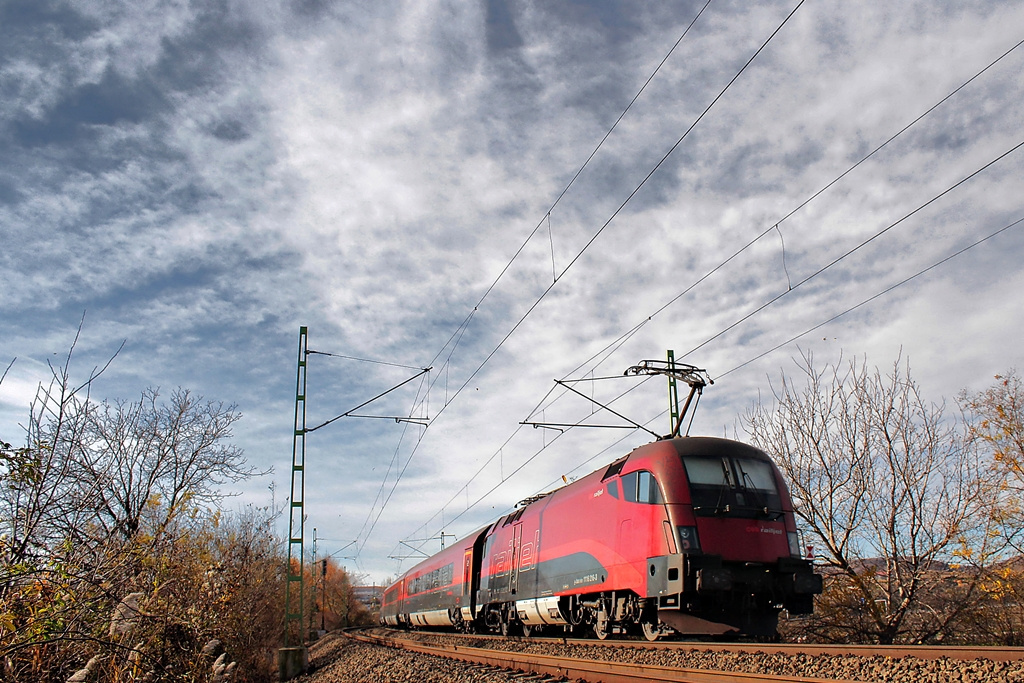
{"x": 891, "y": 488}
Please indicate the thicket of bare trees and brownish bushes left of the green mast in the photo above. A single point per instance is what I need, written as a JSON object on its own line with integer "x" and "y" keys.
{"x": 94, "y": 529}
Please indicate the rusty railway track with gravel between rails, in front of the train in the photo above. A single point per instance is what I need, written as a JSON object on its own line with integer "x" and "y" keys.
{"x": 621, "y": 662}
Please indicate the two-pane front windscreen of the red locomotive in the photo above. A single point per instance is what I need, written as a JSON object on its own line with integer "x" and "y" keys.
{"x": 733, "y": 487}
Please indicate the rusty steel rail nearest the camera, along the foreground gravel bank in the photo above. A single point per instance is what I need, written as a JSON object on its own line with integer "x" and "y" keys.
{"x": 586, "y": 670}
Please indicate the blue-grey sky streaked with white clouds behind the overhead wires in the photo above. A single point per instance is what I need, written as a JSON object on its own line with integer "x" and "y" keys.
{"x": 508, "y": 193}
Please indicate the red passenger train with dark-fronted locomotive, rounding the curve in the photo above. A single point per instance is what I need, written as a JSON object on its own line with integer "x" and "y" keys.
{"x": 692, "y": 535}
